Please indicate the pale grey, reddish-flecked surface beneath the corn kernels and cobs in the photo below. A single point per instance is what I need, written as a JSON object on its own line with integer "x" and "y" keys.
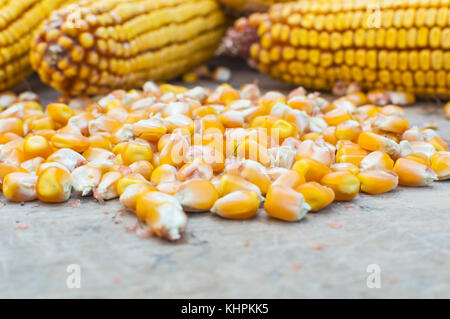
{"x": 405, "y": 232}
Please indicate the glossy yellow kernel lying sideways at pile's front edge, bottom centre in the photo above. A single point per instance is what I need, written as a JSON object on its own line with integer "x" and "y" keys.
{"x": 237, "y": 205}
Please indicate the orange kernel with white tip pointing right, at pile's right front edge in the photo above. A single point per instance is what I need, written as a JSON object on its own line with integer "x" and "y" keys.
{"x": 411, "y": 173}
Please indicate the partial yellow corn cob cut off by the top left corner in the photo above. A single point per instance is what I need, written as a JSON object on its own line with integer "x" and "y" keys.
{"x": 18, "y": 20}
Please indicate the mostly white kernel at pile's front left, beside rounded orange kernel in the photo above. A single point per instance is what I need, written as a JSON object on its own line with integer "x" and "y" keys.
{"x": 85, "y": 179}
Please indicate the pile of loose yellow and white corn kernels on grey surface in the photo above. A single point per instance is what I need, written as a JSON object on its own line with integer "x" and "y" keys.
{"x": 166, "y": 150}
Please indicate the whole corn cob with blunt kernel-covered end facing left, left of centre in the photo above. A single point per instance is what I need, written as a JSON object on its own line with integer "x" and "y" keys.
{"x": 121, "y": 44}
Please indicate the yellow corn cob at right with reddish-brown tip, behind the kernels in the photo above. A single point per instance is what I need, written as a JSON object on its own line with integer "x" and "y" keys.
{"x": 396, "y": 45}
